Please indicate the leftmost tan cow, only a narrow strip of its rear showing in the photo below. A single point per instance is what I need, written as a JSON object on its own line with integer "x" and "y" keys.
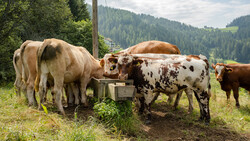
{"x": 19, "y": 85}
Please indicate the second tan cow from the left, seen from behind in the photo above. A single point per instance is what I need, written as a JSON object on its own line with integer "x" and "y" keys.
{"x": 28, "y": 58}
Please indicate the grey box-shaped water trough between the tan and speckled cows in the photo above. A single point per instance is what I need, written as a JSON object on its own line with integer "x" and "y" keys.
{"x": 115, "y": 89}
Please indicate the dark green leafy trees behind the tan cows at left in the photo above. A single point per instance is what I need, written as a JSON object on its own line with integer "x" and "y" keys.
{"x": 22, "y": 20}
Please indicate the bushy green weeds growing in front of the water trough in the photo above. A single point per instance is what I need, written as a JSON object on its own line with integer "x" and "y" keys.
{"x": 118, "y": 116}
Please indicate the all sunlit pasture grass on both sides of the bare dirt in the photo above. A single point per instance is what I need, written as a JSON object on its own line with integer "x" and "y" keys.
{"x": 20, "y": 122}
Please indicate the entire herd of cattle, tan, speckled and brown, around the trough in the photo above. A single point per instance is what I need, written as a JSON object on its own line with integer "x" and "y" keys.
{"x": 156, "y": 67}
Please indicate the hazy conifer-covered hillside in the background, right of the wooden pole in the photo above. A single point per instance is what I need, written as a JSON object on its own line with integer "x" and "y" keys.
{"x": 127, "y": 28}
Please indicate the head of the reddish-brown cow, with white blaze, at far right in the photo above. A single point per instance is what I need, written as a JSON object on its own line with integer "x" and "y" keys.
{"x": 220, "y": 70}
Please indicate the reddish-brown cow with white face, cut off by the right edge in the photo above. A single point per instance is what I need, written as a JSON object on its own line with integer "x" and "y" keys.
{"x": 231, "y": 77}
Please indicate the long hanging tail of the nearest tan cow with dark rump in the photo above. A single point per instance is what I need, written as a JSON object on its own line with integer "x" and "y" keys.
{"x": 38, "y": 64}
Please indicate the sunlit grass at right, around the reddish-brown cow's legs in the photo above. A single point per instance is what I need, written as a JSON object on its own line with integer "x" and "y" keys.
{"x": 223, "y": 113}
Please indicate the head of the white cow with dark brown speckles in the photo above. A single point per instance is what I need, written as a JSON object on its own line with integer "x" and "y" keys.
{"x": 125, "y": 65}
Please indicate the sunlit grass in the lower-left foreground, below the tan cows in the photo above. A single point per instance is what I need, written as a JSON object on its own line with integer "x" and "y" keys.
{"x": 20, "y": 122}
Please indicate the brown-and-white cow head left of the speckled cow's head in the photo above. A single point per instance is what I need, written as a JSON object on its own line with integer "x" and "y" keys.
{"x": 109, "y": 64}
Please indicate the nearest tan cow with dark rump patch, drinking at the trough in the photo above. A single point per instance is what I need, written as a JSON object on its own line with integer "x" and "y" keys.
{"x": 65, "y": 63}
